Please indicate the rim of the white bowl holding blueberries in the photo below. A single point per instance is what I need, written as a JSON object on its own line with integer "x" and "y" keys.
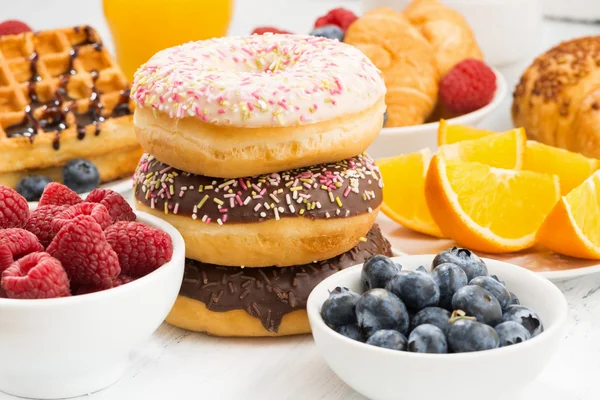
{"x": 560, "y": 318}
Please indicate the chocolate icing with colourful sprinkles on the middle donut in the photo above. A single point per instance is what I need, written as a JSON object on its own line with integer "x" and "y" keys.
{"x": 335, "y": 190}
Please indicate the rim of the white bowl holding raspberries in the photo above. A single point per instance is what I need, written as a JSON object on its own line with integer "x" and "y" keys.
{"x": 178, "y": 248}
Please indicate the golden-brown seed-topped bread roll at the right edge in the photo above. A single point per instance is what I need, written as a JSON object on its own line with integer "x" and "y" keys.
{"x": 557, "y": 100}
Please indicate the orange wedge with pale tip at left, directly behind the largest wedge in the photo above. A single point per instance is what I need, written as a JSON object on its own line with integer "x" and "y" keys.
{"x": 500, "y": 150}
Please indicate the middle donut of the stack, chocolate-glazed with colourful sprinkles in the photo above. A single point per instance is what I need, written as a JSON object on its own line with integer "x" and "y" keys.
{"x": 280, "y": 219}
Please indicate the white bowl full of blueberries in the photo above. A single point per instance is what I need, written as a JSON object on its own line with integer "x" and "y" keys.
{"x": 450, "y": 325}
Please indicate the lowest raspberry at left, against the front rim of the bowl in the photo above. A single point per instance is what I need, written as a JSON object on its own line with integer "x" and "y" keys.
{"x": 35, "y": 276}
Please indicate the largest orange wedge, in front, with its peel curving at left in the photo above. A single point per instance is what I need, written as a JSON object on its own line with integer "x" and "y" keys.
{"x": 486, "y": 208}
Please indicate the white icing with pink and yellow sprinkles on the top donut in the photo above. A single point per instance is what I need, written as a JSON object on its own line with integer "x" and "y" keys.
{"x": 259, "y": 80}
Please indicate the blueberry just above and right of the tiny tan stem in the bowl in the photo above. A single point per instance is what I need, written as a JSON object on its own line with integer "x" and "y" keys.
{"x": 477, "y": 302}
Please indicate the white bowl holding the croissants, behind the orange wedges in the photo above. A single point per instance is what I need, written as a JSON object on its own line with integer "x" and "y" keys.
{"x": 408, "y": 139}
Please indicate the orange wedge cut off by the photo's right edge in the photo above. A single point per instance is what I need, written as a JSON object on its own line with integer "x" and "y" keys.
{"x": 573, "y": 225}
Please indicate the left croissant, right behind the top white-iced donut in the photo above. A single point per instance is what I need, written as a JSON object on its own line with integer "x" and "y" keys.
{"x": 406, "y": 60}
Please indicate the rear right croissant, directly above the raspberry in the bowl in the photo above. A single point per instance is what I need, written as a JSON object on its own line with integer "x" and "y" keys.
{"x": 446, "y": 30}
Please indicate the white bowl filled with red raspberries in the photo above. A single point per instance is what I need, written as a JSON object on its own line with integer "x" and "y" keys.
{"x": 82, "y": 283}
